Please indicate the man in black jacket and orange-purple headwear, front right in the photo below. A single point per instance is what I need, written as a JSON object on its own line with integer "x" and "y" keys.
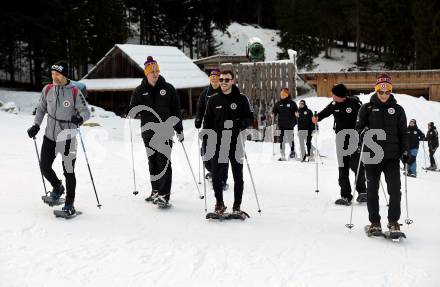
{"x": 383, "y": 113}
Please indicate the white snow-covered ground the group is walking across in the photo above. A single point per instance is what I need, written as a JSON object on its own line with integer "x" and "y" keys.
{"x": 300, "y": 238}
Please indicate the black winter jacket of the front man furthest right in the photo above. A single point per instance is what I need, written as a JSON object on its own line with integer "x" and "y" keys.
{"x": 391, "y": 118}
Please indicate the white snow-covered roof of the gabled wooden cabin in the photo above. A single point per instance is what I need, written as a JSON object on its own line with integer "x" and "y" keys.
{"x": 175, "y": 67}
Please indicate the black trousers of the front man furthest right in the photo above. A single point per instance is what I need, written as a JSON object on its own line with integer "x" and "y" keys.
{"x": 391, "y": 170}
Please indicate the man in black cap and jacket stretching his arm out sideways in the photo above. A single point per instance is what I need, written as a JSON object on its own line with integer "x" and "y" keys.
{"x": 344, "y": 110}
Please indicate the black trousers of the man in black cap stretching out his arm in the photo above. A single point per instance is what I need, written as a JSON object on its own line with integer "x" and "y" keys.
{"x": 351, "y": 162}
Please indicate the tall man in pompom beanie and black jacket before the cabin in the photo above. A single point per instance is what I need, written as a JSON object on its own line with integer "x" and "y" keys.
{"x": 159, "y": 107}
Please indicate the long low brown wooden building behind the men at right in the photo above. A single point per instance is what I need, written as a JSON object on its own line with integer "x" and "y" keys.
{"x": 419, "y": 83}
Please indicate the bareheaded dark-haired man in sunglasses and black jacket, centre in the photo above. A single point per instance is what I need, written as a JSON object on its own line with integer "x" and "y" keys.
{"x": 227, "y": 114}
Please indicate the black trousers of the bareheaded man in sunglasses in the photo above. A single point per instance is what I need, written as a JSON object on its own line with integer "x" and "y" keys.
{"x": 220, "y": 169}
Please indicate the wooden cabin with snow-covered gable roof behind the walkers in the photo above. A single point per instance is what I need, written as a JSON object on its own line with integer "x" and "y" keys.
{"x": 110, "y": 83}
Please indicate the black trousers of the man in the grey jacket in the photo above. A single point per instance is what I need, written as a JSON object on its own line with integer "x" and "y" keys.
{"x": 48, "y": 155}
